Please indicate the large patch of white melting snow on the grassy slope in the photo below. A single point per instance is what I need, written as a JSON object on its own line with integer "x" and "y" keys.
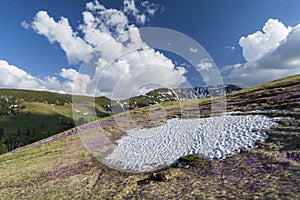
{"x": 218, "y": 137}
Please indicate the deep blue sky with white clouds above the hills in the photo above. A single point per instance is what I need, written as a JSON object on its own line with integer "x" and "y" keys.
{"x": 101, "y": 48}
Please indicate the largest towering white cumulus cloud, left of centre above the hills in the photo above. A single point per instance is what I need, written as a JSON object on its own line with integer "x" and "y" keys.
{"x": 120, "y": 63}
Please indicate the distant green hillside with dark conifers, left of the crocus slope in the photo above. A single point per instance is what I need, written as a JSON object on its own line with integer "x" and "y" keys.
{"x": 29, "y": 116}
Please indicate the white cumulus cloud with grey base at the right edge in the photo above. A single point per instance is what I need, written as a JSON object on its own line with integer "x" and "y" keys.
{"x": 270, "y": 54}
